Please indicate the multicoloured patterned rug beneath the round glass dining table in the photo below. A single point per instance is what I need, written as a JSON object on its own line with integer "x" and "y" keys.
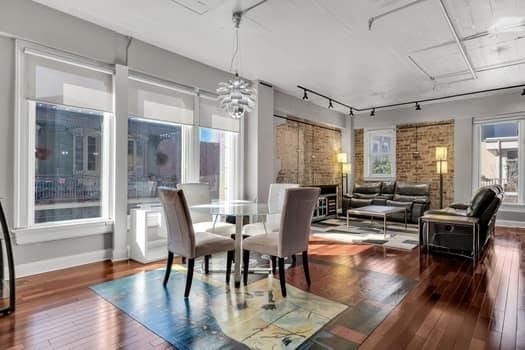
{"x": 257, "y": 317}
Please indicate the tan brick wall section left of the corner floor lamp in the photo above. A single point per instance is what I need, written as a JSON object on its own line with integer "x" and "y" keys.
{"x": 307, "y": 154}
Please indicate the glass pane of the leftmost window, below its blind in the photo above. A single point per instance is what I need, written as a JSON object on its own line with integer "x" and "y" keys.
{"x": 67, "y": 163}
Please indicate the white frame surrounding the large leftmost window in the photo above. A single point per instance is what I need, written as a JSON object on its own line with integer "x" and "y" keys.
{"x": 25, "y": 229}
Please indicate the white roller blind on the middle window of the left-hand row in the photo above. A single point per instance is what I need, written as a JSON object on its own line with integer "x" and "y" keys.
{"x": 152, "y": 101}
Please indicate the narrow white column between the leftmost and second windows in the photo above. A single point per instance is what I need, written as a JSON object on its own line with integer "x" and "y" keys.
{"x": 120, "y": 165}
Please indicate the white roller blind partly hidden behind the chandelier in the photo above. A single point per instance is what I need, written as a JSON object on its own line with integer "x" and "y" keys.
{"x": 212, "y": 116}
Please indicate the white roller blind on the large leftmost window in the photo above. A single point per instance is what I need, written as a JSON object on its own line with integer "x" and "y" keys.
{"x": 58, "y": 81}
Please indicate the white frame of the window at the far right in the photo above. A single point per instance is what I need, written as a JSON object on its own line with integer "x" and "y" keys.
{"x": 478, "y": 123}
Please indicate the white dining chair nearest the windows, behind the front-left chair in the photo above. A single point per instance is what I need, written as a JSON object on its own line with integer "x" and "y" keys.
{"x": 199, "y": 193}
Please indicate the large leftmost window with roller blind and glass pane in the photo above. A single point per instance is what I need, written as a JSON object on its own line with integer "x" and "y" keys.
{"x": 65, "y": 110}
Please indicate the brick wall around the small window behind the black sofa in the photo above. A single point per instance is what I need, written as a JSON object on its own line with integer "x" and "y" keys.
{"x": 415, "y": 156}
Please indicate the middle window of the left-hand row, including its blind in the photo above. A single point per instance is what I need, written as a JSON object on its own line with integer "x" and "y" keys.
{"x": 159, "y": 129}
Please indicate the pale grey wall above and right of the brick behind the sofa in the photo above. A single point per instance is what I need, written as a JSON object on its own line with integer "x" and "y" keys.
{"x": 463, "y": 112}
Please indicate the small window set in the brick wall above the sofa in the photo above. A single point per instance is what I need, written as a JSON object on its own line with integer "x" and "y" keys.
{"x": 380, "y": 153}
